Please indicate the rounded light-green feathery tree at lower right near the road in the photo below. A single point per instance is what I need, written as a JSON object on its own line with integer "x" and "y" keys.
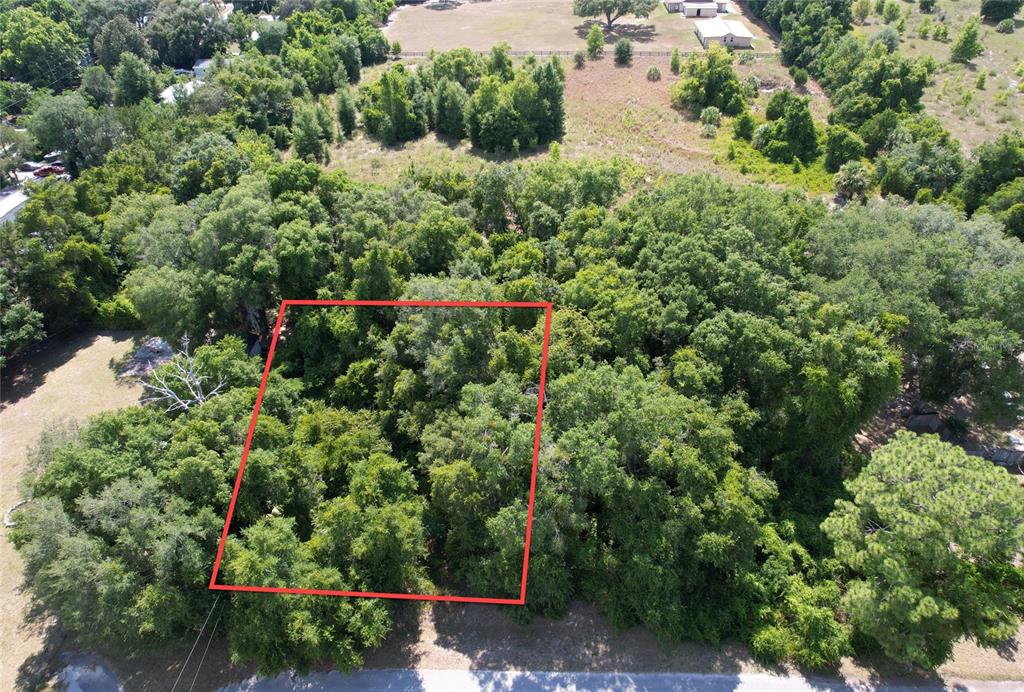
{"x": 931, "y": 535}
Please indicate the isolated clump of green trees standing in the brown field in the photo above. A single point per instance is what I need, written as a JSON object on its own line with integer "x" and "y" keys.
{"x": 500, "y": 108}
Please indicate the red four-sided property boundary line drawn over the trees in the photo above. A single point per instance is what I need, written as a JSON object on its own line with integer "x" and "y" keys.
{"x": 252, "y": 428}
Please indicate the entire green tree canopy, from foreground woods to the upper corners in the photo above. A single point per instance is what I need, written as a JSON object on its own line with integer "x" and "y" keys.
{"x": 714, "y": 350}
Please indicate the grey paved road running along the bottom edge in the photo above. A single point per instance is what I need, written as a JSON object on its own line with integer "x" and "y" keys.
{"x": 495, "y": 681}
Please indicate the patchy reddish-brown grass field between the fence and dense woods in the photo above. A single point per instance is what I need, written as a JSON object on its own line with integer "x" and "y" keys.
{"x": 610, "y": 111}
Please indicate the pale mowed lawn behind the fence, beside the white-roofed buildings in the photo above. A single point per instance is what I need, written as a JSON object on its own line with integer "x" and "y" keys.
{"x": 540, "y": 25}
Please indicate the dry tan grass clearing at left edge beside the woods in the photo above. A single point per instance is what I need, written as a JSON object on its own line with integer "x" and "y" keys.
{"x": 72, "y": 380}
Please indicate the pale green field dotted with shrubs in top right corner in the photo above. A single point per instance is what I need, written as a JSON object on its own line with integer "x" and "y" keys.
{"x": 973, "y": 115}
